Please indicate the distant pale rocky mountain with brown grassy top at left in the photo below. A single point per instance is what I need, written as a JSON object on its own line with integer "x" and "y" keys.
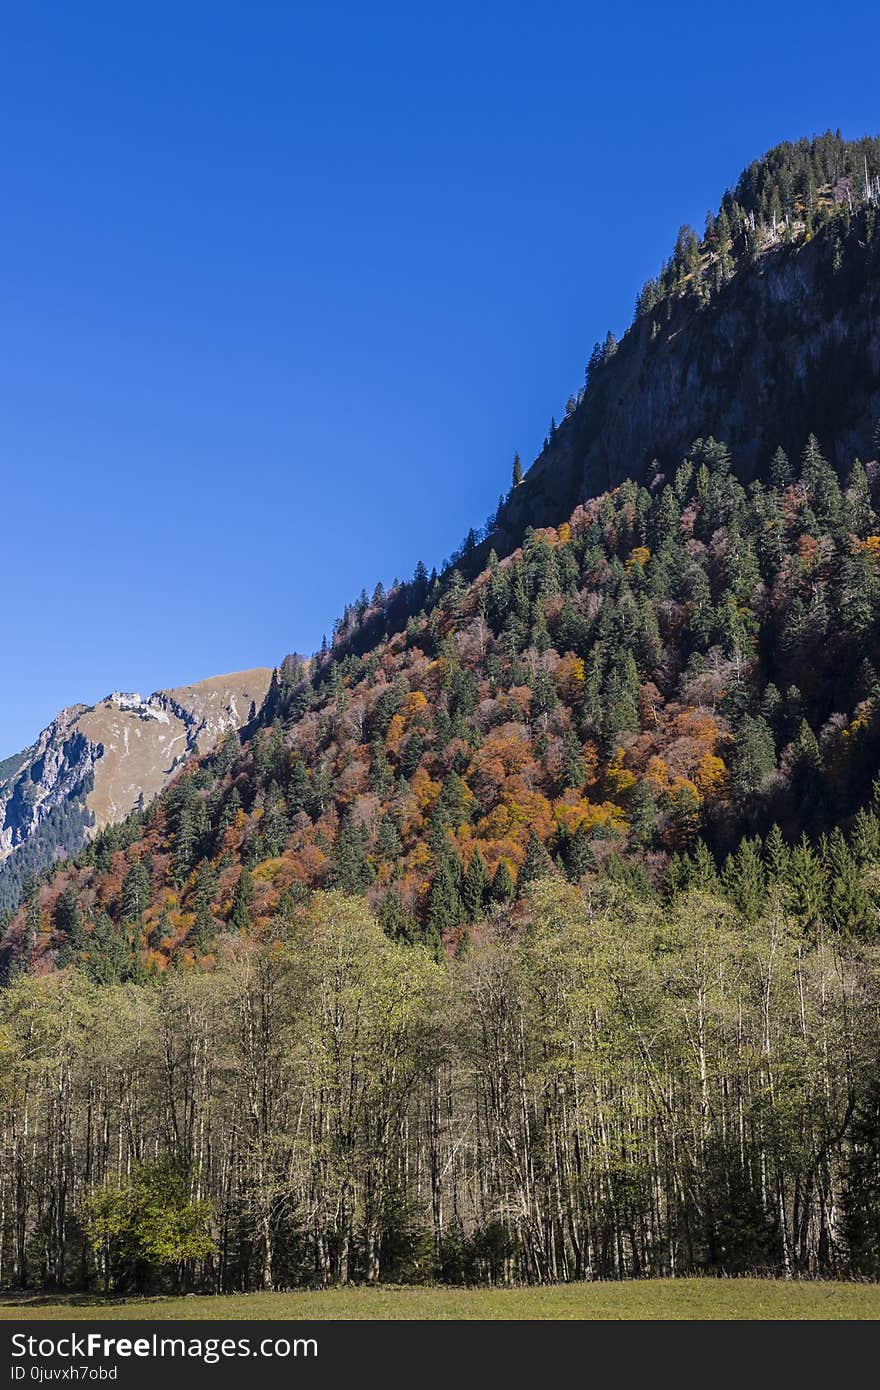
{"x": 95, "y": 764}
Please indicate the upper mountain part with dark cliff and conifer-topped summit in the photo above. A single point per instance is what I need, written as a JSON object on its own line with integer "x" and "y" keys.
{"x": 758, "y": 334}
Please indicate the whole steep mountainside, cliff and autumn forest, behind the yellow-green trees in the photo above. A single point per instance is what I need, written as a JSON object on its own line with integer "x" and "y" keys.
{"x": 675, "y": 664}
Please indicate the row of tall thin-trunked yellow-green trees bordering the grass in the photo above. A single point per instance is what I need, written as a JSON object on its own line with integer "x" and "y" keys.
{"x": 597, "y": 1084}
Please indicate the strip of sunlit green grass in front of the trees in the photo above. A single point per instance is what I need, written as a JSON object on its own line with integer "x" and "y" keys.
{"x": 655, "y": 1299}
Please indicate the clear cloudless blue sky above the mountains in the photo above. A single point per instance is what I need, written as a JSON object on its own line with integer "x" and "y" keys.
{"x": 283, "y": 287}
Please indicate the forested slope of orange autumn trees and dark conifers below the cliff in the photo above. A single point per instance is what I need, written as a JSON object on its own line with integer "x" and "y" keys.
{"x": 678, "y": 667}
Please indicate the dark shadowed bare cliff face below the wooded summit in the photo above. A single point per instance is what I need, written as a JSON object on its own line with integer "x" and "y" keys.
{"x": 792, "y": 345}
